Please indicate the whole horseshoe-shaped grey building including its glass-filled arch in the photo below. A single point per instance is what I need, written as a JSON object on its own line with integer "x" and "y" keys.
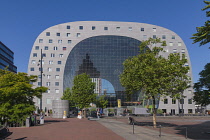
{"x": 99, "y": 48}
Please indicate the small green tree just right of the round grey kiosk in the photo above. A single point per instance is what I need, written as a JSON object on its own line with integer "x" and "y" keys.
{"x": 67, "y": 95}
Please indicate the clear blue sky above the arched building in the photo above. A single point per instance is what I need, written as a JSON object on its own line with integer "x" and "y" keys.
{"x": 21, "y": 21}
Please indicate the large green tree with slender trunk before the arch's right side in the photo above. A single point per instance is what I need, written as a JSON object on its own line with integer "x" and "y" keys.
{"x": 154, "y": 74}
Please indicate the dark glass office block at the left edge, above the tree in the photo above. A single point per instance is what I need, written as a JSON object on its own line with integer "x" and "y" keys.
{"x": 7, "y": 58}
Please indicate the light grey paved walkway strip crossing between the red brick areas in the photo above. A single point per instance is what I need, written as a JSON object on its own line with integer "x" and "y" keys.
{"x": 140, "y": 133}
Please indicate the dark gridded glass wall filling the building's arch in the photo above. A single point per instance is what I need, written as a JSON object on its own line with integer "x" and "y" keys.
{"x": 101, "y": 57}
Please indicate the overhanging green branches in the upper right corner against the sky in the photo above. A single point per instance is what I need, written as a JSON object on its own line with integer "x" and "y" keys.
{"x": 203, "y": 32}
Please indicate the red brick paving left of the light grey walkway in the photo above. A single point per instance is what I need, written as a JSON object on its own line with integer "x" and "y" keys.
{"x": 63, "y": 129}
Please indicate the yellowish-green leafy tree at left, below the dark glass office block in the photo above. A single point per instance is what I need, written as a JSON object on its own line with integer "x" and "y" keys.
{"x": 16, "y": 96}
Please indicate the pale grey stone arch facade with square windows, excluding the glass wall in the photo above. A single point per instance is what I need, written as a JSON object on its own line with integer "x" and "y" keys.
{"x": 57, "y": 42}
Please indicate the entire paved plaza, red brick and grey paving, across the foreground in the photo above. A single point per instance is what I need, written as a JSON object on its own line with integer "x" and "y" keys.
{"x": 115, "y": 128}
